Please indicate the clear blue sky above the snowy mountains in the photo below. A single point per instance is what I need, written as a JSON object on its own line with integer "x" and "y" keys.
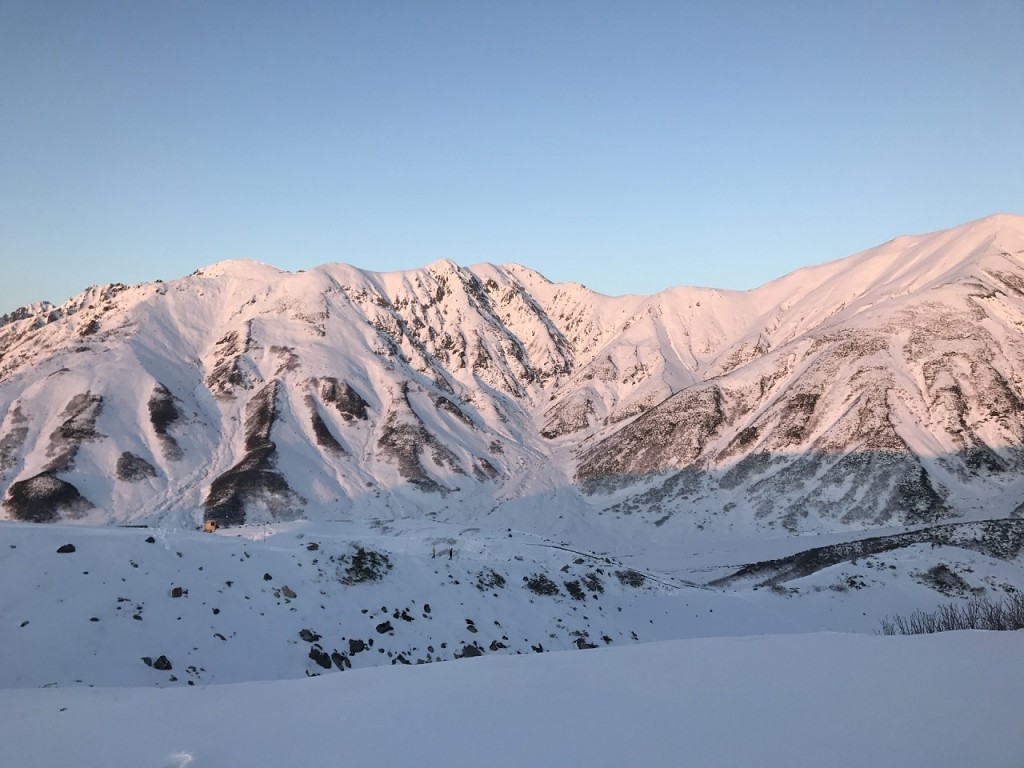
{"x": 628, "y": 146}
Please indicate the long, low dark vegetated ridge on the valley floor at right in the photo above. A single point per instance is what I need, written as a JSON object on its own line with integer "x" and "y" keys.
{"x": 1003, "y": 539}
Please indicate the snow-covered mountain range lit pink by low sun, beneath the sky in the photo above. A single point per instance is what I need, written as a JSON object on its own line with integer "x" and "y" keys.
{"x": 882, "y": 390}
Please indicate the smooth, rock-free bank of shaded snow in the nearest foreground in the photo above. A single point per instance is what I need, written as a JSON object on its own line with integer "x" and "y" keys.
{"x": 950, "y": 700}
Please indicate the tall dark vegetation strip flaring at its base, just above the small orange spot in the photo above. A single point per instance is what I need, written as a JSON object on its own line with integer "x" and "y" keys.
{"x": 254, "y": 481}
